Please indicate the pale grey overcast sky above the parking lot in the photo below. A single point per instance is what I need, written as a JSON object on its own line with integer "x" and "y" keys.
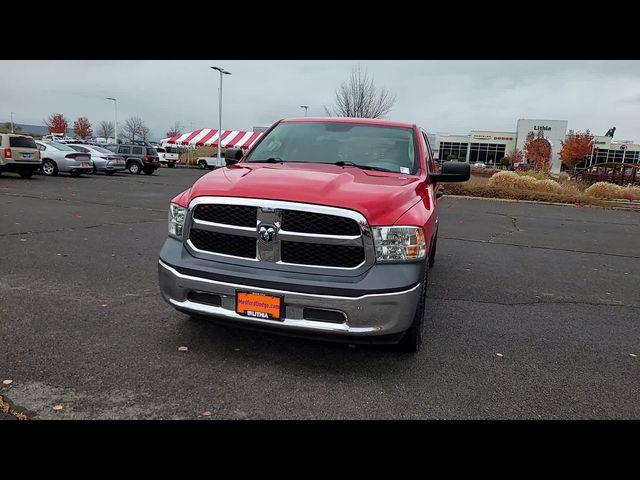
{"x": 441, "y": 96}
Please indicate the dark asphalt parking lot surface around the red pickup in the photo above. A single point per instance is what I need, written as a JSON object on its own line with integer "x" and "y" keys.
{"x": 533, "y": 313}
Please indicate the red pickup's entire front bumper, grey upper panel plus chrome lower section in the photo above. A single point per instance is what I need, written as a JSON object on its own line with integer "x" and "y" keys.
{"x": 368, "y": 312}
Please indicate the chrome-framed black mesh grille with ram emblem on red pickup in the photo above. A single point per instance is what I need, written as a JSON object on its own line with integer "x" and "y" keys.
{"x": 304, "y": 234}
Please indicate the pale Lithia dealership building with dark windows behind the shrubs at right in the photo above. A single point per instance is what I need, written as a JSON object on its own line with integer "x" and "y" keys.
{"x": 489, "y": 147}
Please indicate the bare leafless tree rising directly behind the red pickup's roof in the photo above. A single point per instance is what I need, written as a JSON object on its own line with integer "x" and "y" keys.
{"x": 359, "y": 97}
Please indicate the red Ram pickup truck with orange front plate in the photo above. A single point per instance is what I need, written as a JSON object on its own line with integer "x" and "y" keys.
{"x": 325, "y": 228}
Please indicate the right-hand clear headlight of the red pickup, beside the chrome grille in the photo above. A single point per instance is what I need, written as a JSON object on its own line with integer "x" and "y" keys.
{"x": 399, "y": 244}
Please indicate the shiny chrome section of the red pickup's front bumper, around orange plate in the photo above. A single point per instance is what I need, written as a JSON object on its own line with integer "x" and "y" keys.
{"x": 367, "y": 315}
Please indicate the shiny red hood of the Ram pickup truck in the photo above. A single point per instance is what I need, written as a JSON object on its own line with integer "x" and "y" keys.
{"x": 382, "y": 197}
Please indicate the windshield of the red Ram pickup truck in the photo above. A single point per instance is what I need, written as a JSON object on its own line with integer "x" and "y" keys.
{"x": 386, "y": 148}
